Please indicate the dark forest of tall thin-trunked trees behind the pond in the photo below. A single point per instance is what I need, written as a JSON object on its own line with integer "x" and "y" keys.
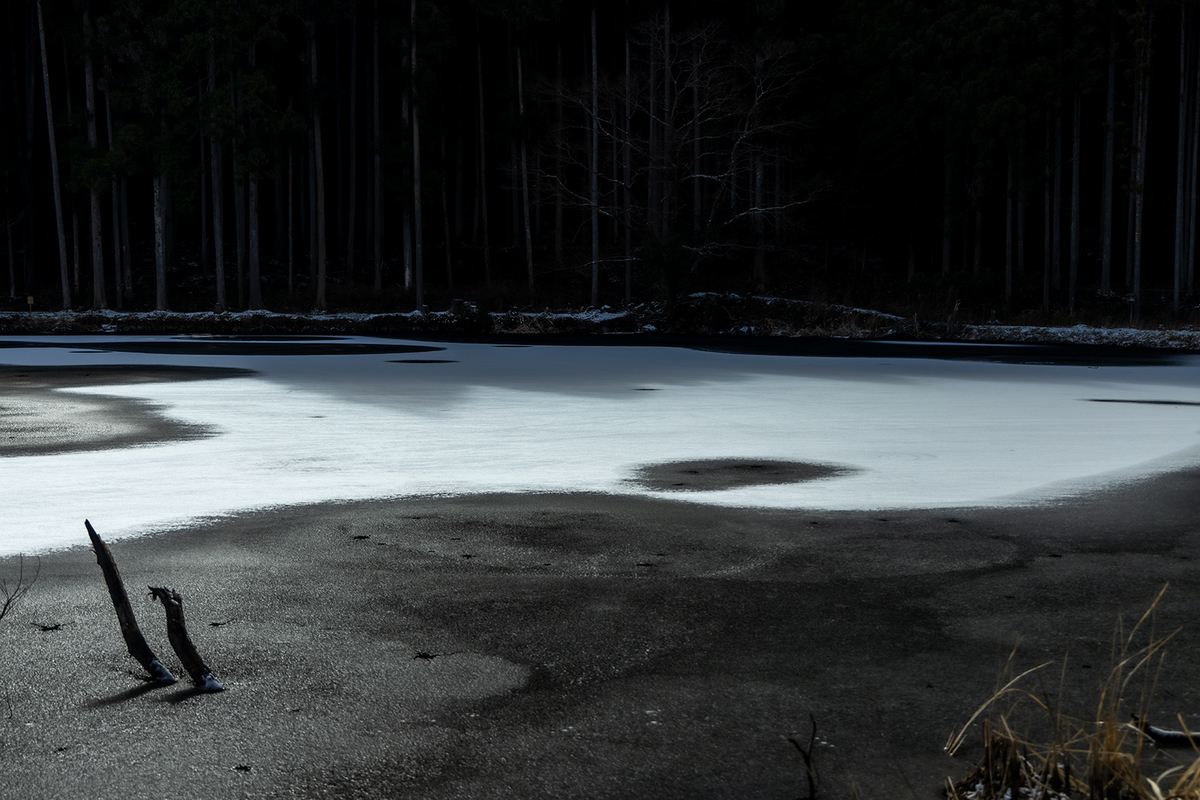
{"x": 1018, "y": 157}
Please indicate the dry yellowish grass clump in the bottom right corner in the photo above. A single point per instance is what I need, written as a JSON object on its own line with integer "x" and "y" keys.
{"x": 1058, "y": 757}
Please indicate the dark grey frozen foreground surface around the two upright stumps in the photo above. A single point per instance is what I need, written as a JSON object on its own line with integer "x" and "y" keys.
{"x": 583, "y": 646}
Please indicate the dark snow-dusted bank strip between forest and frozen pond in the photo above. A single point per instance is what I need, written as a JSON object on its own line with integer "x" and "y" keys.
{"x": 700, "y": 315}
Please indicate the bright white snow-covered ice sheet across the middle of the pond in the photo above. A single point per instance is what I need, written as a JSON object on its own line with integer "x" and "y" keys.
{"x": 491, "y": 418}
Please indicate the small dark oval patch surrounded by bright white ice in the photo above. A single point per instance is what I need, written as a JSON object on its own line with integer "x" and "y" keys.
{"x": 717, "y": 474}
